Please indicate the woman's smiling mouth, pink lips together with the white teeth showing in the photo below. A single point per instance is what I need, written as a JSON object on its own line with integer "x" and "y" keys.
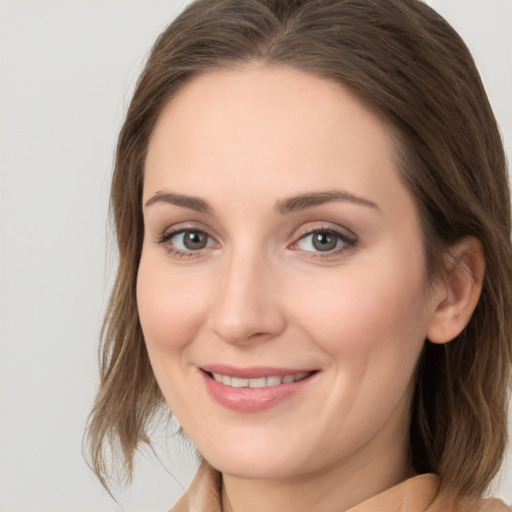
{"x": 254, "y": 389}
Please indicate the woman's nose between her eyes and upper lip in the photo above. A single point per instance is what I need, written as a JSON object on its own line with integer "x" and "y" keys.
{"x": 247, "y": 306}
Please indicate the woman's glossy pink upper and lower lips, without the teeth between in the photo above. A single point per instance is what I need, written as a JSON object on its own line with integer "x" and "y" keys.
{"x": 251, "y": 399}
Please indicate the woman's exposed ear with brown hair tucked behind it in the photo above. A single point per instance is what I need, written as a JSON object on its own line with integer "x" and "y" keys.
{"x": 458, "y": 290}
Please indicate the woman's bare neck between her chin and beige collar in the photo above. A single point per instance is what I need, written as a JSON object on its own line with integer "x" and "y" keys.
{"x": 329, "y": 490}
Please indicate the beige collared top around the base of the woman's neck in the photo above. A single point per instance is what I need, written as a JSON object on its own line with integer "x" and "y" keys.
{"x": 418, "y": 494}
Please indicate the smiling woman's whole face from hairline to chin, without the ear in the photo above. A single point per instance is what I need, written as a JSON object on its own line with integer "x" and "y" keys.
{"x": 282, "y": 287}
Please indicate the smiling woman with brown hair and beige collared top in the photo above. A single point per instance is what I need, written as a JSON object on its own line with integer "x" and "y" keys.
{"x": 312, "y": 213}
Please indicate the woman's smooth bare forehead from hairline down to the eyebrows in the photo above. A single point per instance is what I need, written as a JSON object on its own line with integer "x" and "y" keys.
{"x": 251, "y": 128}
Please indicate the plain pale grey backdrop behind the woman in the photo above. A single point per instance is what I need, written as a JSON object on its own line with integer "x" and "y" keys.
{"x": 67, "y": 71}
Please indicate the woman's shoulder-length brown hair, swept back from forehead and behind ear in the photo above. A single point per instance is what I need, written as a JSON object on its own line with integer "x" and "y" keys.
{"x": 405, "y": 61}
